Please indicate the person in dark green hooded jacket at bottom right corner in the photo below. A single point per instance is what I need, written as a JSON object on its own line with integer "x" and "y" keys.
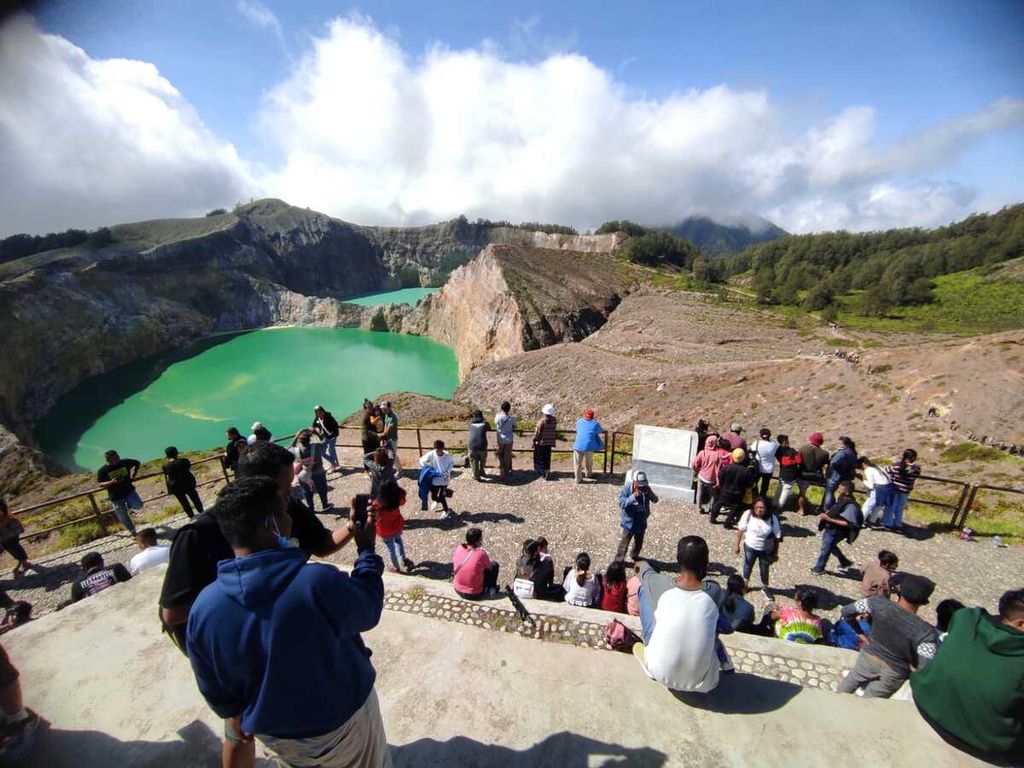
{"x": 972, "y": 693}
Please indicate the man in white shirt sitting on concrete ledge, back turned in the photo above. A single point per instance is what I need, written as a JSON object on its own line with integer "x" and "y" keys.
{"x": 680, "y": 623}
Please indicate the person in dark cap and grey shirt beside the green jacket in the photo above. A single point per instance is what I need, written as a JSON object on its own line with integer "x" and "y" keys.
{"x": 902, "y": 642}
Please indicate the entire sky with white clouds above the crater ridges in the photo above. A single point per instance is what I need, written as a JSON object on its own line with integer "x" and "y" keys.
{"x": 817, "y": 116}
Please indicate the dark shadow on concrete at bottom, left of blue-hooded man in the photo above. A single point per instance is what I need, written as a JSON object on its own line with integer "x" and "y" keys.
{"x": 199, "y": 748}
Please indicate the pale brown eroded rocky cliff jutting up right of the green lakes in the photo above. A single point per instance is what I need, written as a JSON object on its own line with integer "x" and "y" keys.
{"x": 515, "y": 298}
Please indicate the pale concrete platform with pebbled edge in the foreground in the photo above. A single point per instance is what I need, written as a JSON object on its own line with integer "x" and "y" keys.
{"x": 116, "y": 693}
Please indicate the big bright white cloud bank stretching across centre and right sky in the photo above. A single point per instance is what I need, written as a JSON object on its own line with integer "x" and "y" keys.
{"x": 372, "y": 135}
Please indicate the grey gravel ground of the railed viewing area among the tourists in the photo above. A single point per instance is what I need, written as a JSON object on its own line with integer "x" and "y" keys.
{"x": 585, "y": 518}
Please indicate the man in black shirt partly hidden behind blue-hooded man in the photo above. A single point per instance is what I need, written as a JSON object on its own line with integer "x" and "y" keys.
{"x": 198, "y": 547}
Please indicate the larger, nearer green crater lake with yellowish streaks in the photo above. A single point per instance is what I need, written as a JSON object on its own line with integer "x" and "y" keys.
{"x": 189, "y": 398}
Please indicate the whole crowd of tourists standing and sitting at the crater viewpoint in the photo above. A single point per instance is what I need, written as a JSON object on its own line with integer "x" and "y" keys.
{"x": 276, "y": 644}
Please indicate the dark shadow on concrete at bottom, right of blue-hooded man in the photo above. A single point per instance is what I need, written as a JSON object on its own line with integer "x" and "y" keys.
{"x": 563, "y": 750}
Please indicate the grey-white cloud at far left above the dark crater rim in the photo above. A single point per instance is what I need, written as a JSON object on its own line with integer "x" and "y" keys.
{"x": 88, "y": 143}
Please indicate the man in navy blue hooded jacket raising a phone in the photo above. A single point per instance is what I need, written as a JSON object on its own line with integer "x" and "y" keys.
{"x": 275, "y": 642}
